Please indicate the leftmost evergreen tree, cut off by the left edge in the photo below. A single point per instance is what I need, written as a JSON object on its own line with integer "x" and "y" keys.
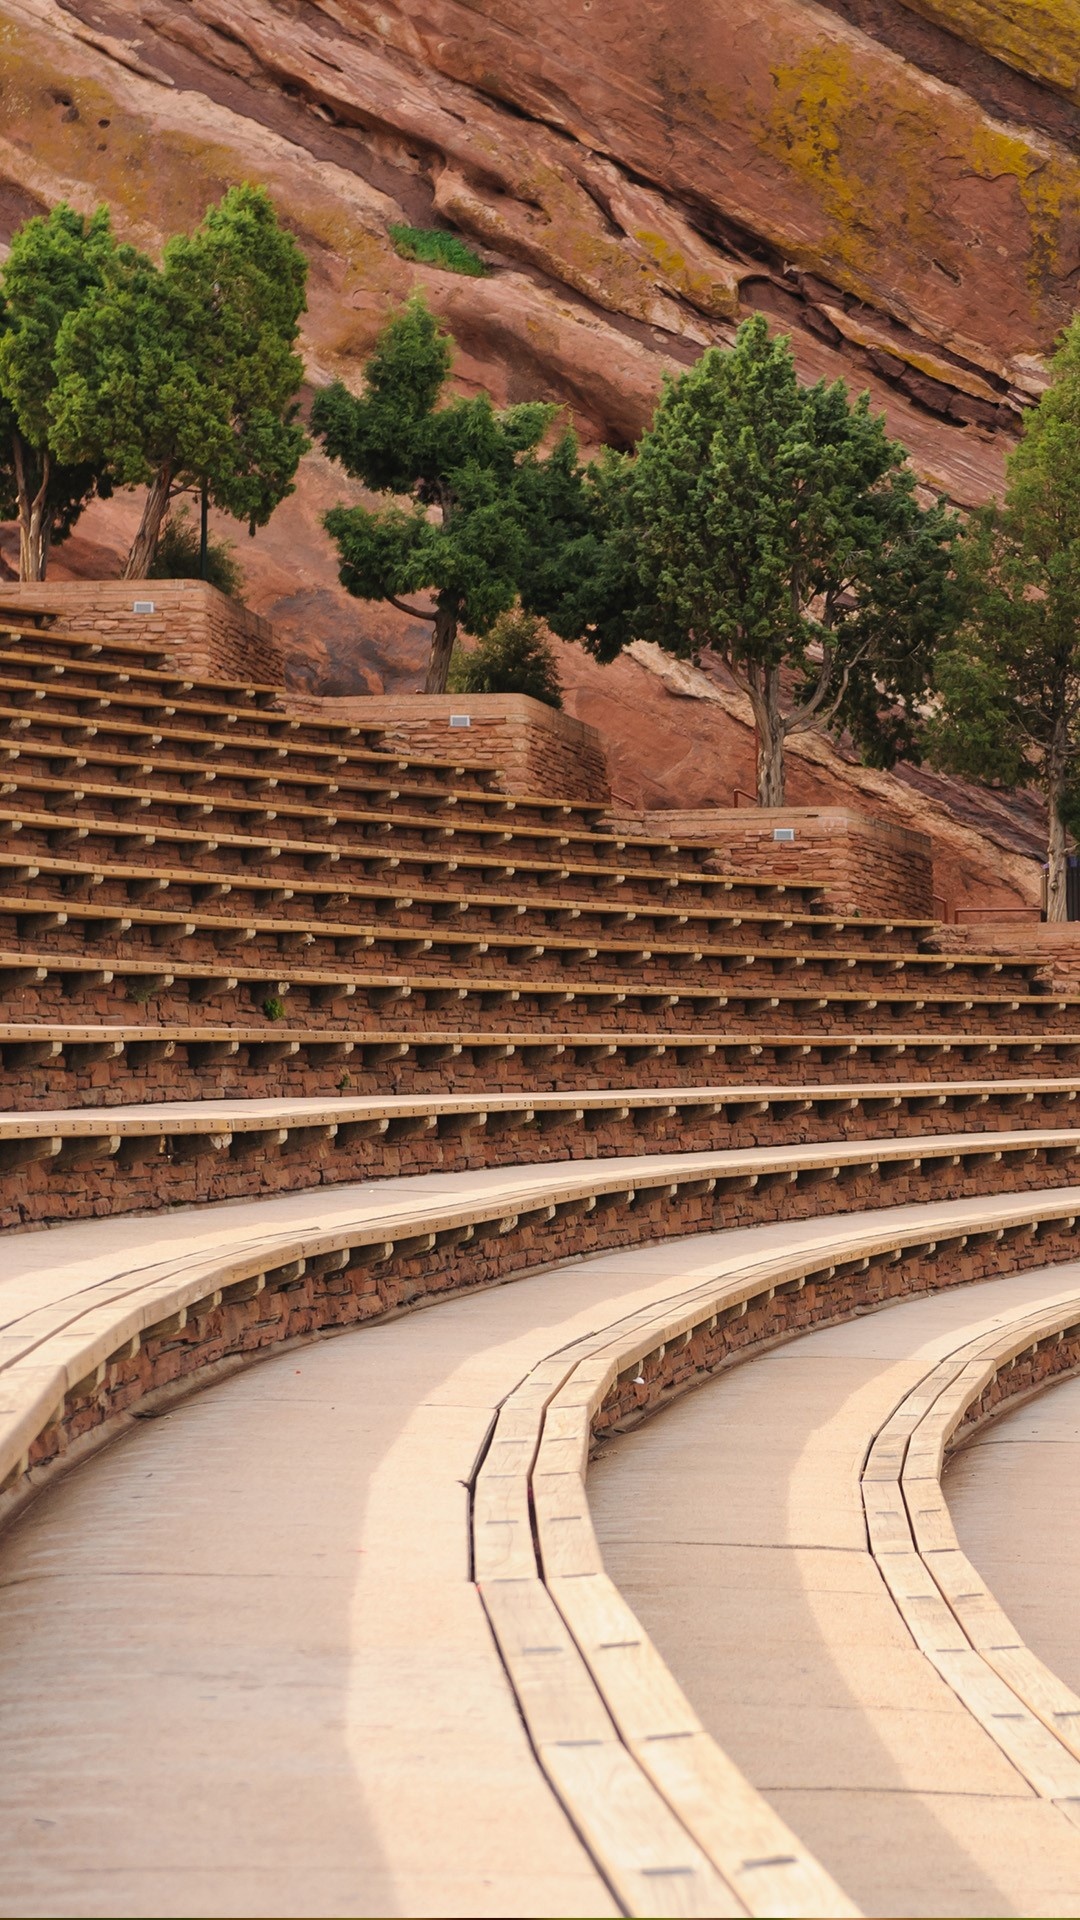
{"x": 55, "y": 266}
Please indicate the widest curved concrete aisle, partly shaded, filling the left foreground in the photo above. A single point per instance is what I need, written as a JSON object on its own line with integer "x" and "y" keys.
{"x": 243, "y": 1669}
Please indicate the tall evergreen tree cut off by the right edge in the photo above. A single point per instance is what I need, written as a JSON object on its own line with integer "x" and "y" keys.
{"x": 1010, "y": 686}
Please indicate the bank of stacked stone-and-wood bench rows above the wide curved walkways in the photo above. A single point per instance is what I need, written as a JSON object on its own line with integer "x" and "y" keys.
{"x": 245, "y": 951}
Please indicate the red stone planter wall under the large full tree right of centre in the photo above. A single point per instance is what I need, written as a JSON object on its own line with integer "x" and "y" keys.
{"x": 866, "y": 865}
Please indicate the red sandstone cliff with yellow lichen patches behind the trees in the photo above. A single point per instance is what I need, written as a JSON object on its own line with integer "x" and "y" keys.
{"x": 895, "y": 181}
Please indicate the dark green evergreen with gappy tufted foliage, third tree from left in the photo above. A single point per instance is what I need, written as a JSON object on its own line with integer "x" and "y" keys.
{"x": 478, "y": 517}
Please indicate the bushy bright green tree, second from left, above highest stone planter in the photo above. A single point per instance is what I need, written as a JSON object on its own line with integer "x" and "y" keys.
{"x": 187, "y": 375}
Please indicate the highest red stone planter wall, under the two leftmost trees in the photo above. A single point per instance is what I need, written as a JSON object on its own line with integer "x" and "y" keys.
{"x": 203, "y": 631}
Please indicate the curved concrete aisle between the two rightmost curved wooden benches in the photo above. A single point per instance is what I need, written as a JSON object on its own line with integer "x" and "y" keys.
{"x": 735, "y": 1529}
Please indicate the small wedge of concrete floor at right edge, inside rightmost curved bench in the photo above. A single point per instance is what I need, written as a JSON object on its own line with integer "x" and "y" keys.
{"x": 1016, "y": 1502}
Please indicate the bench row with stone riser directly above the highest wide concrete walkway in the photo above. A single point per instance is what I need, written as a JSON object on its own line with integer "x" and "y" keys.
{"x": 64, "y": 1164}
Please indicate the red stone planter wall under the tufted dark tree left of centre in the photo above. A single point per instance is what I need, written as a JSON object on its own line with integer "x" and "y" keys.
{"x": 533, "y": 748}
